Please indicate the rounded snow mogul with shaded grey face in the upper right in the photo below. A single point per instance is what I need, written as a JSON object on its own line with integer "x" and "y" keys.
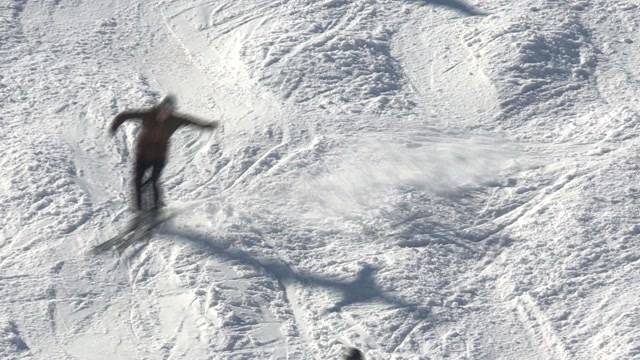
{"x": 539, "y": 66}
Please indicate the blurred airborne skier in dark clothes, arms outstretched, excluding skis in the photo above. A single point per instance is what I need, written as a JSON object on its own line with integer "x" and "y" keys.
{"x": 158, "y": 124}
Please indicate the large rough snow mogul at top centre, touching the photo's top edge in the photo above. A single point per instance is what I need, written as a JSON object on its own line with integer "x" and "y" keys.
{"x": 334, "y": 53}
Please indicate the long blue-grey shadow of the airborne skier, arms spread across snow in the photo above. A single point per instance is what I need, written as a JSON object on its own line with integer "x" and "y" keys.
{"x": 360, "y": 290}
